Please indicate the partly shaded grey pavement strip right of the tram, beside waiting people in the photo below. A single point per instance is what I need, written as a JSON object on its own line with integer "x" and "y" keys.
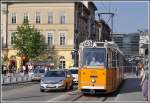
{"x": 131, "y": 90}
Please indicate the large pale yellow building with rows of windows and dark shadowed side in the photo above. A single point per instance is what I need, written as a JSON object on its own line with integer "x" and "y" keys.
{"x": 64, "y": 25}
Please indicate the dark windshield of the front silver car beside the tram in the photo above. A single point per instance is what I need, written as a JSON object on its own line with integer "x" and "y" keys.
{"x": 55, "y": 74}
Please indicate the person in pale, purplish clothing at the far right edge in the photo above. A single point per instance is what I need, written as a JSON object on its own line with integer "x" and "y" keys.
{"x": 144, "y": 81}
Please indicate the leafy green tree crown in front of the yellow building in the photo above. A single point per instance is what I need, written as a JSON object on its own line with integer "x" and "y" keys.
{"x": 29, "y": 41}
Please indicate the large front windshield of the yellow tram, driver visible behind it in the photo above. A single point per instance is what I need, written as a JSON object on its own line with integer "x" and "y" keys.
{"x": 94, "y": 56}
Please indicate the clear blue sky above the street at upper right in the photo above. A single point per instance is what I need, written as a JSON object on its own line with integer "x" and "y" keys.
{"x": 129, "y": 16}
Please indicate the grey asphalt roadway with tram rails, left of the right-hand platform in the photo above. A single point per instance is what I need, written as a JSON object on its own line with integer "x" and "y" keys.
{"x": 32, "y": 93}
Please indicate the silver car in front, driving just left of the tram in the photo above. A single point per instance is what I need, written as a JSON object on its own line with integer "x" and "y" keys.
{"x": 57, "y": 79}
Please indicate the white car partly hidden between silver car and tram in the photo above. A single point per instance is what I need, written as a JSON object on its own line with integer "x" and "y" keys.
{"x": 74, "y": 72}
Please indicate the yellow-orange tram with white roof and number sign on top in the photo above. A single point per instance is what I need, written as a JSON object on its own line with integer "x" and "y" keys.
{"x": 100, "y": 67}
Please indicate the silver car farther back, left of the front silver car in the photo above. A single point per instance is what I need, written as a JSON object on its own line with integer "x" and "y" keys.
{"x": 36, "y": 74}
